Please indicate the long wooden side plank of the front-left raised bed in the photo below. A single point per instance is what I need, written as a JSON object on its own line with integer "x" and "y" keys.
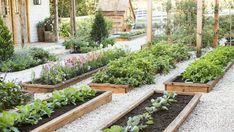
{"x": 75, "y": 113}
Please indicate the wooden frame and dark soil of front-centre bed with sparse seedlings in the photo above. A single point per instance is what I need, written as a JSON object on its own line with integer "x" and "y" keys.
{"x": 164, "y": 120}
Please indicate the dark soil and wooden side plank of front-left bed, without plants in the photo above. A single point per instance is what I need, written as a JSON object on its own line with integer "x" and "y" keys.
{"x": 69, "y": 113}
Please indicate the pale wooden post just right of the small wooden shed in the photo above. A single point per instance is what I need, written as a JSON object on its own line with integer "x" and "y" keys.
{"x": 149, "y": 21}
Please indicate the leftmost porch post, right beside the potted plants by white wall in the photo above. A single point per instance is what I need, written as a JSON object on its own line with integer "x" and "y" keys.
{"x": 56, "y": 23}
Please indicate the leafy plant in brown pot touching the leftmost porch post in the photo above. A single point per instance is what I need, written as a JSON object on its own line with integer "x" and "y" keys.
{"x": 49, "y": 28}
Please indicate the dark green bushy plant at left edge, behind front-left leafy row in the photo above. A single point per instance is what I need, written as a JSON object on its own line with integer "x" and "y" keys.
{"x": 11, "y": 95}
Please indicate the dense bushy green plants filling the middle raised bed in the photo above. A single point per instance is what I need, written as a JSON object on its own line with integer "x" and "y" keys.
{"x": 139, "y": 68}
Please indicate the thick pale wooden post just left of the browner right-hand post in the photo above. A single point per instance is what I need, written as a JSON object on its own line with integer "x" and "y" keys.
{"x": 199, "y": 27}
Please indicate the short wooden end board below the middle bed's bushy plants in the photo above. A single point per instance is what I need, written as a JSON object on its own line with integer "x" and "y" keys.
{"x": 111, "y": 87}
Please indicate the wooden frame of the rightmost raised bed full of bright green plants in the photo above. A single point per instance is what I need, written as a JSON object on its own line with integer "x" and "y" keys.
{"x": 173, "y": 85}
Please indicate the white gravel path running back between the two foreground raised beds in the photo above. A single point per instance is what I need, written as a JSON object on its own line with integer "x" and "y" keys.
{"x": 90, "y": 122}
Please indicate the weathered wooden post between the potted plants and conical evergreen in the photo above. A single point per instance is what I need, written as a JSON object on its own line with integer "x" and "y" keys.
{"x": 73, "y": 17}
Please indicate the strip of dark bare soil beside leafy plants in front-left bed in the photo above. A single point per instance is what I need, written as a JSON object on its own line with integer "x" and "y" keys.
{"x": 57, "y": 112}
